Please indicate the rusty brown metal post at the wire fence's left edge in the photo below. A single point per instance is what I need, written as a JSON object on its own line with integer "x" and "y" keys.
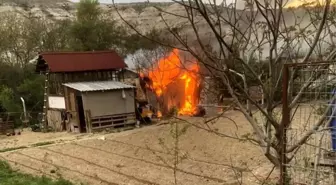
{"x": 284, "y": 124}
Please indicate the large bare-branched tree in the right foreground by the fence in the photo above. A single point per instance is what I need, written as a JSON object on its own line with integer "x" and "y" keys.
{"x": 222, "y": 37}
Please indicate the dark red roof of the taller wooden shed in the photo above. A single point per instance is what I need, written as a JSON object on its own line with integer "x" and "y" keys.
{"x": 82, "y": 61}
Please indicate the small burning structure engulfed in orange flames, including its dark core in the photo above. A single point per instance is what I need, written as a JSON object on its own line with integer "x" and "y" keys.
{"x": 175, "y": 82}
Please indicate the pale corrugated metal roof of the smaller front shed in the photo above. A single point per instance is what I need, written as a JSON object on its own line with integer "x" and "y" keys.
{"x": 98, "y": 86}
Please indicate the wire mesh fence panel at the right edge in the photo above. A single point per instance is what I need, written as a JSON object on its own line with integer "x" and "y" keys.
{"x": 308, "y": 154}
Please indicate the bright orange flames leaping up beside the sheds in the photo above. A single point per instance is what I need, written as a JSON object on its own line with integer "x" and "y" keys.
{"x": 170, "y": 69}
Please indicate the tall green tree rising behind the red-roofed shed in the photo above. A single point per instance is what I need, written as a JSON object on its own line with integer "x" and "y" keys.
{"x": 91, "y": 31}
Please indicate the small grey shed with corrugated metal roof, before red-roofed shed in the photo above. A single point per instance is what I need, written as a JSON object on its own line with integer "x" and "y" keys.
{"x": 99, "y": 105}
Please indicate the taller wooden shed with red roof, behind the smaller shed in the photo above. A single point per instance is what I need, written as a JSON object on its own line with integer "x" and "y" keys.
{"x": 70, "y": 67}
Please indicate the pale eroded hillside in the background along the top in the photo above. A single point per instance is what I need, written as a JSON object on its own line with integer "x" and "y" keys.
{"x": 146, "y": 16}
